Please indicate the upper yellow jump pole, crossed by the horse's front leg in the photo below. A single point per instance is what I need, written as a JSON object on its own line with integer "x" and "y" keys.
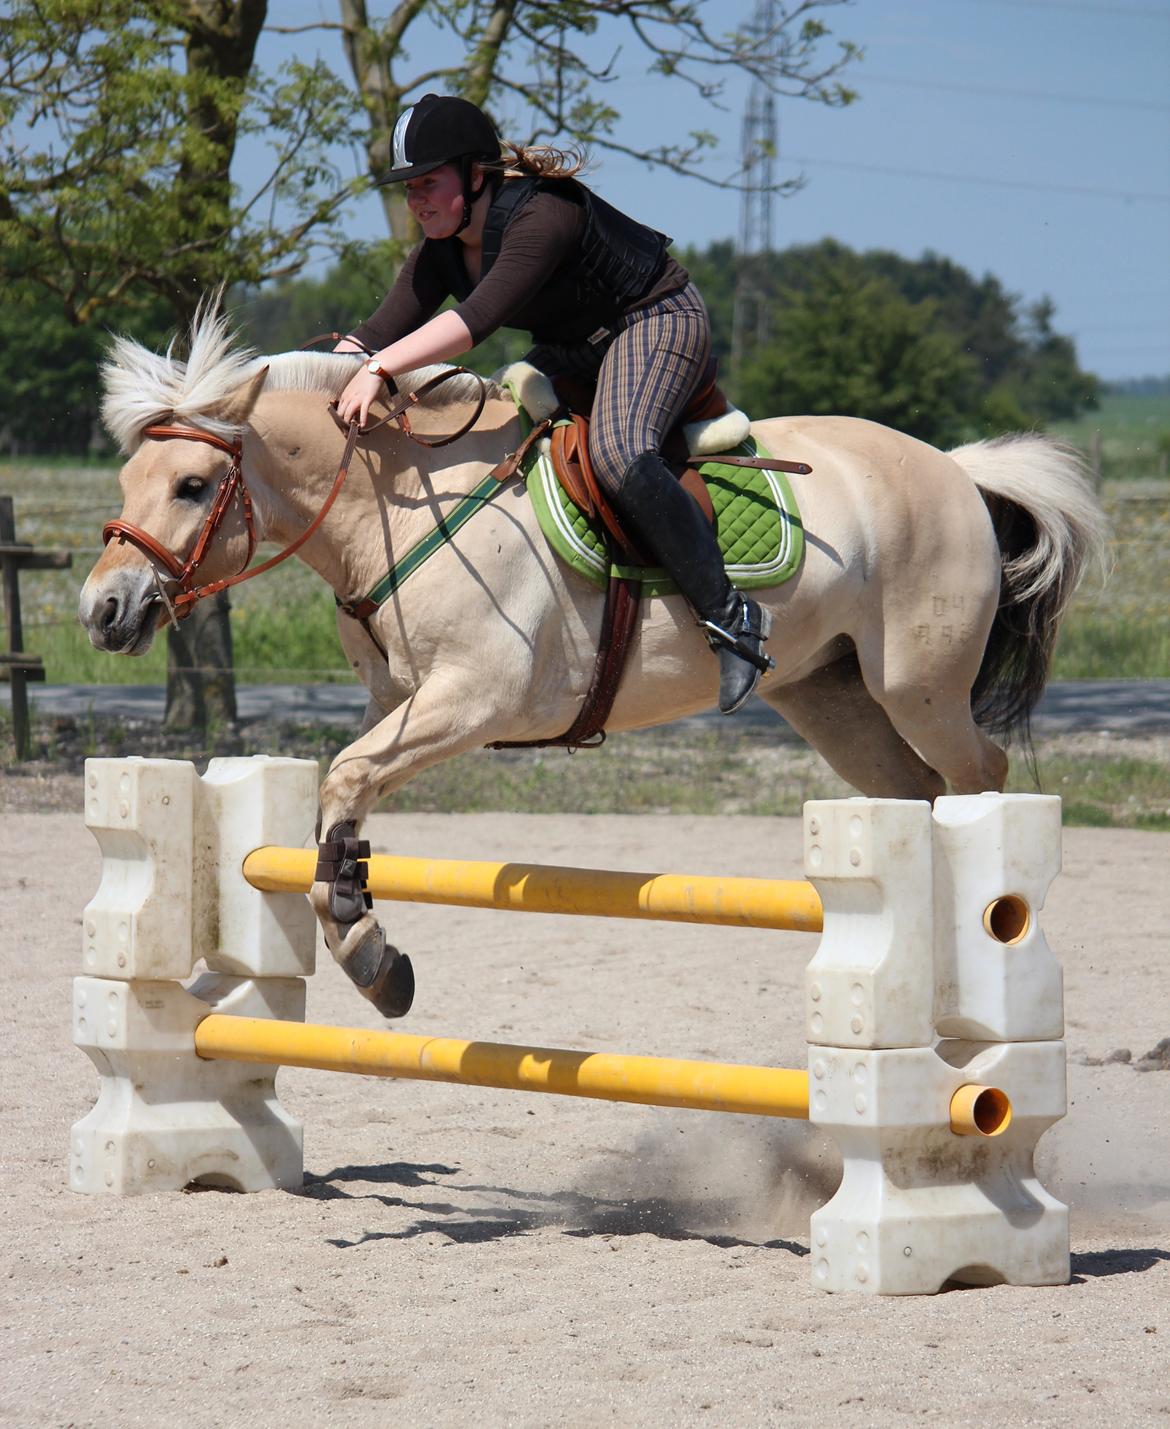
{"x": 535, "y": 888}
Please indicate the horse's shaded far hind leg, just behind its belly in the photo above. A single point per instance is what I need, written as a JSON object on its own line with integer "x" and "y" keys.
{"x": 834, "y": 711}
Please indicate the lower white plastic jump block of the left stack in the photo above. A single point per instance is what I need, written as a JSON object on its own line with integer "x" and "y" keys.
{"x": 165, "y": 1117}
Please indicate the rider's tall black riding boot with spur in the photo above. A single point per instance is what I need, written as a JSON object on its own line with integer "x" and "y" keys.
{"x": 671, "y": 529}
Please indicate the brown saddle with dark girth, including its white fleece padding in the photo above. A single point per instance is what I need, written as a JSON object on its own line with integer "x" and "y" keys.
{"x": 709, "y": 427}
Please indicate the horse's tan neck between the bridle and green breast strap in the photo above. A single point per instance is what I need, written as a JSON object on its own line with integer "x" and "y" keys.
{"x": 394, "y": 495}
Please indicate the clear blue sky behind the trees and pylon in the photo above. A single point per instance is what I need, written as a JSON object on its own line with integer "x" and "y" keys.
{"x": 1026, "y": 139}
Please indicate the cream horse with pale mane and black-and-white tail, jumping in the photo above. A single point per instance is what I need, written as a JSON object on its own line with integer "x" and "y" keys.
{"x": 921, "y": 622}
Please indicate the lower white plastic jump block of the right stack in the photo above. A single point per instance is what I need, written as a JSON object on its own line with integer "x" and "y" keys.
{"x": 919, "y": 1205}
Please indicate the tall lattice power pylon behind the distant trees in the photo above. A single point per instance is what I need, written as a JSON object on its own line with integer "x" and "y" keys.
{"x": 759, "y": 148}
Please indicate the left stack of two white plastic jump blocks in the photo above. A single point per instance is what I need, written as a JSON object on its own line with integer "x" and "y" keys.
{"x": 174, "y": 934}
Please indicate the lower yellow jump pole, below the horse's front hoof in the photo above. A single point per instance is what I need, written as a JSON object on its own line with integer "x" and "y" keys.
{"x": 705, "y": 1087}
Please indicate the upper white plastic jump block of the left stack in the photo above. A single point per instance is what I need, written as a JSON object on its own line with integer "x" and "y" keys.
{"x": 172, "y": 868}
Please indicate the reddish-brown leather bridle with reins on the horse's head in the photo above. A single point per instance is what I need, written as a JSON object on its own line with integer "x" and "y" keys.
{"x": 182, "y": 591}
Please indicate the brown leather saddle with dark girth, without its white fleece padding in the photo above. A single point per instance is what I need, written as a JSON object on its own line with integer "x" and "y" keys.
{"x": 569, "y": 454}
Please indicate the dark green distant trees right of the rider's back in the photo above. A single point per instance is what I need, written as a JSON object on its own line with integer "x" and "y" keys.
{"x": 919, "y": 345}
